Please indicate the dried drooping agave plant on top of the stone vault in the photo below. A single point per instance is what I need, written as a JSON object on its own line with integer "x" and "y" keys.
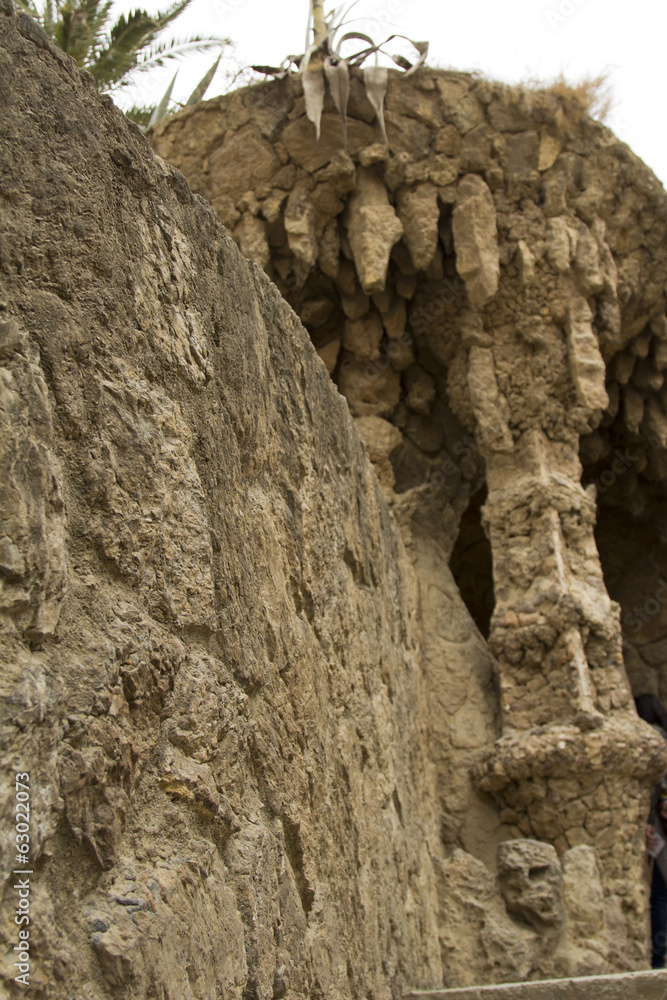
{"x": 324, "y": 63}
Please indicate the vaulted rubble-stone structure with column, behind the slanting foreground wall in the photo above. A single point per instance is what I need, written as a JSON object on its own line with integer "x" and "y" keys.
{"x": 487, "y": 290}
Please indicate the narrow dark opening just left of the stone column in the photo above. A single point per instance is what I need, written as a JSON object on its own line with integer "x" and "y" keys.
{"x": 471, "y": 564}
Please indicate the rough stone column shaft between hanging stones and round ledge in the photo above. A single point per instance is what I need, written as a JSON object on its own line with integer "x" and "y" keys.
{"x": 555, "y": 632}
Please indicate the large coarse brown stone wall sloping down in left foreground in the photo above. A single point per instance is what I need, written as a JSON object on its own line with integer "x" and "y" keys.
{"x": 209, "y": 630}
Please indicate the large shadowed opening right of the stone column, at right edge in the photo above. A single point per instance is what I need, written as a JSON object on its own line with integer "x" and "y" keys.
{"x": 625, "y": 459}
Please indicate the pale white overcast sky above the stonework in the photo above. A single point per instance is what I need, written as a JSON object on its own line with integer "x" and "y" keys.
{"x": 509, "y": 40}
